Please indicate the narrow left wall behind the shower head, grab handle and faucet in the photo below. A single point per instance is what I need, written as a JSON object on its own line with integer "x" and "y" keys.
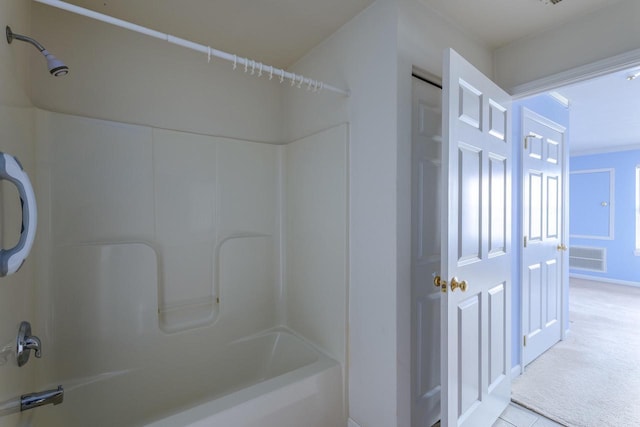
{"x": 16, "y": 138}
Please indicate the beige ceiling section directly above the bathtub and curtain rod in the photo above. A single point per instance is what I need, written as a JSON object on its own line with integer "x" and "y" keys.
{"x": 275, "y": 32}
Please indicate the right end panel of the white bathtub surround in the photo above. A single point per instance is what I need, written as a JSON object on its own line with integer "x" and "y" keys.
{"x": 316, "y": 261}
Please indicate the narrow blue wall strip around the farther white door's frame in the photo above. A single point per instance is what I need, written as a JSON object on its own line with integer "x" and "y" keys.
{"x": 548, "y": 107}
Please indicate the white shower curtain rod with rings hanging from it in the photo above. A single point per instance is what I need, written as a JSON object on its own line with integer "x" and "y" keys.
{"x": 248, "y": 64}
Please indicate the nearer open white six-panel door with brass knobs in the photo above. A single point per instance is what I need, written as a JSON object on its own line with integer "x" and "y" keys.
{"x": 476, "y": 247}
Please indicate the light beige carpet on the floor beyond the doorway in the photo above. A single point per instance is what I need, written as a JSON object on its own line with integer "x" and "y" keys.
{"x": 593, "y": 377}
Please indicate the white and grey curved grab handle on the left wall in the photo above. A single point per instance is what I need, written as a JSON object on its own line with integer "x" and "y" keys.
{"x": 12, "y": 259}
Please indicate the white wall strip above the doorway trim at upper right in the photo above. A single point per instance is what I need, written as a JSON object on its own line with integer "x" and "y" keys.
{"x": 607, "y": 32}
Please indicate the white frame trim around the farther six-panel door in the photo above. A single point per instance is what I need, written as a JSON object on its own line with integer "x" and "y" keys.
{"x": 564, "y": 223}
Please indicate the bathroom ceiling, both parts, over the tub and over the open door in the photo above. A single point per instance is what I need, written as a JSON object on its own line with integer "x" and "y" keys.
{"x": 279, "y": 32}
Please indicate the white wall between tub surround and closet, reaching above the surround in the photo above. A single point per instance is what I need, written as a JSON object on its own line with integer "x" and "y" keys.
{"x": 362, "y": 57}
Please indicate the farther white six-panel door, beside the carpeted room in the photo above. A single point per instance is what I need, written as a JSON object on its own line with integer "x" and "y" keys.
{"x": 542, "y": 255}
